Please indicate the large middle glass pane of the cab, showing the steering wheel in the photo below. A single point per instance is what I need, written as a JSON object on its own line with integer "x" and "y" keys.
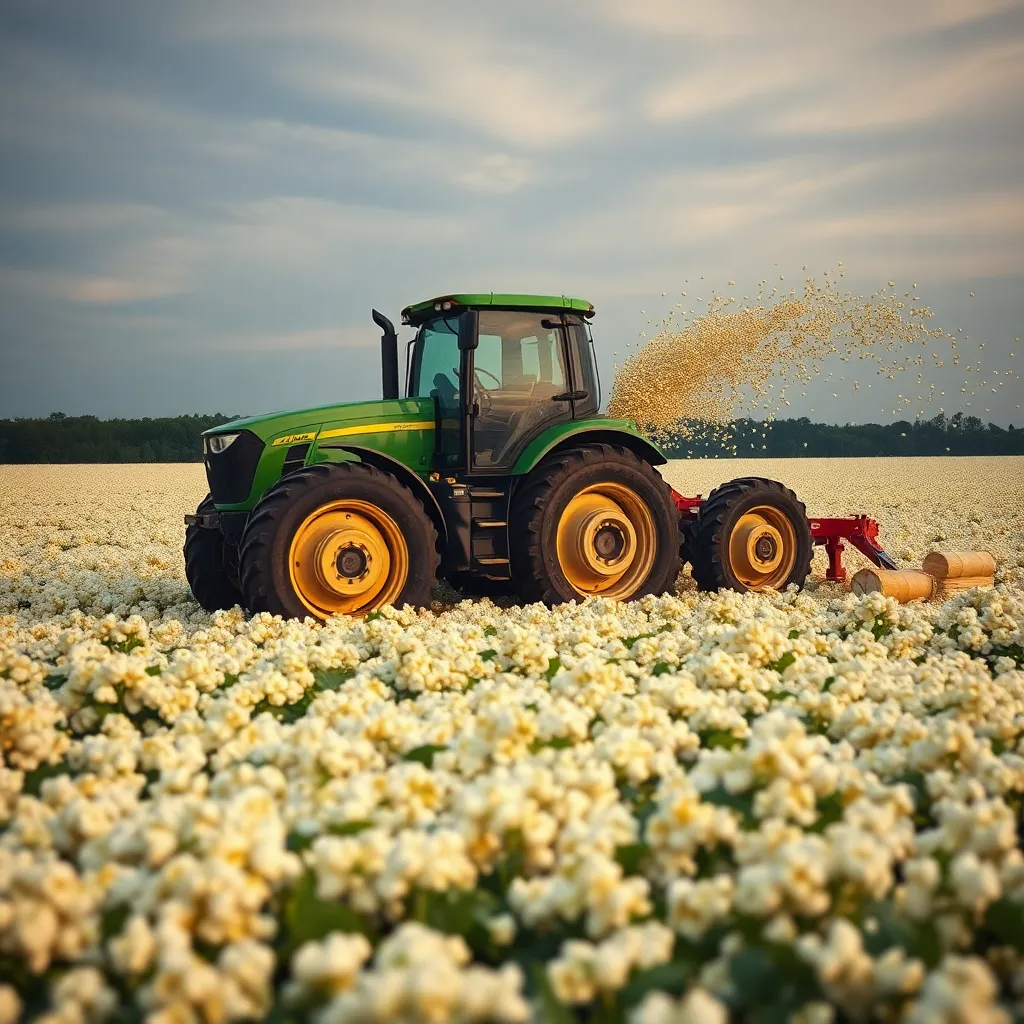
{"x": 519, "y": 370}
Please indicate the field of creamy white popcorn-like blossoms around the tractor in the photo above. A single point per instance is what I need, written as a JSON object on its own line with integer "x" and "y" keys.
{"x": 797, "y": 807}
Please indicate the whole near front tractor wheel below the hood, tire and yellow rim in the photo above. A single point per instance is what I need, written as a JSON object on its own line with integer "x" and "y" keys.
{"x": 337, "y": 539}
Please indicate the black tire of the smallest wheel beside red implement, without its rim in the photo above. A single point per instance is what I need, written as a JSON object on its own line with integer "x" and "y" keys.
{"x": 708, "y": 545}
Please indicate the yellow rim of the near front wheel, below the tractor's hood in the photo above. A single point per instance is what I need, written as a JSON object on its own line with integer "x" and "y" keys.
{"x": 348, "y": 558}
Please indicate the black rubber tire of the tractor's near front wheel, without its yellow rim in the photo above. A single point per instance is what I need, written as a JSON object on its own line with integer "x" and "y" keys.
{"x": 266, "y": 545}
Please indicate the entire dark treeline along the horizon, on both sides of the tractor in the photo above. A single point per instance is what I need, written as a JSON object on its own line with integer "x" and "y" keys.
{"x": 87, "y": 439}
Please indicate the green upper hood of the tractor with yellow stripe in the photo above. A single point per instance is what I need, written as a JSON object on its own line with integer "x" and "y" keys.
{"x": 359, "y": 416}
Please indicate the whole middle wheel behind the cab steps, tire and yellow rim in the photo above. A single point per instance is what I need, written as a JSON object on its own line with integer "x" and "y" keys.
{"x": 594, "y": 522}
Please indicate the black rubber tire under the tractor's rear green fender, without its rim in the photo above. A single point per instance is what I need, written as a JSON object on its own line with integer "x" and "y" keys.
{"x": 538, "y": 506}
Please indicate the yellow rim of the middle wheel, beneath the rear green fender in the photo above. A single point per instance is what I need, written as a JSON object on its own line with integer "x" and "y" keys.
{"x": 607, "y": 541}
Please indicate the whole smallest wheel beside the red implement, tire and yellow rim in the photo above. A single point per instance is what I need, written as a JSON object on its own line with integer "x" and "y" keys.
{"x": 751, "y": 534}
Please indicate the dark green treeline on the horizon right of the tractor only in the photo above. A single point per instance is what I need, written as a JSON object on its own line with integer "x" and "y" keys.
{"x": 796, "y": 439}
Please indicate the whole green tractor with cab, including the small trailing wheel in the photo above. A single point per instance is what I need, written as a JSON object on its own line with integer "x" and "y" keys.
{"x": 495, "y": 473}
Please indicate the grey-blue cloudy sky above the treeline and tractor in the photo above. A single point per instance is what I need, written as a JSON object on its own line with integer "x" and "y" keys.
{"x": 201, "y": 203}
